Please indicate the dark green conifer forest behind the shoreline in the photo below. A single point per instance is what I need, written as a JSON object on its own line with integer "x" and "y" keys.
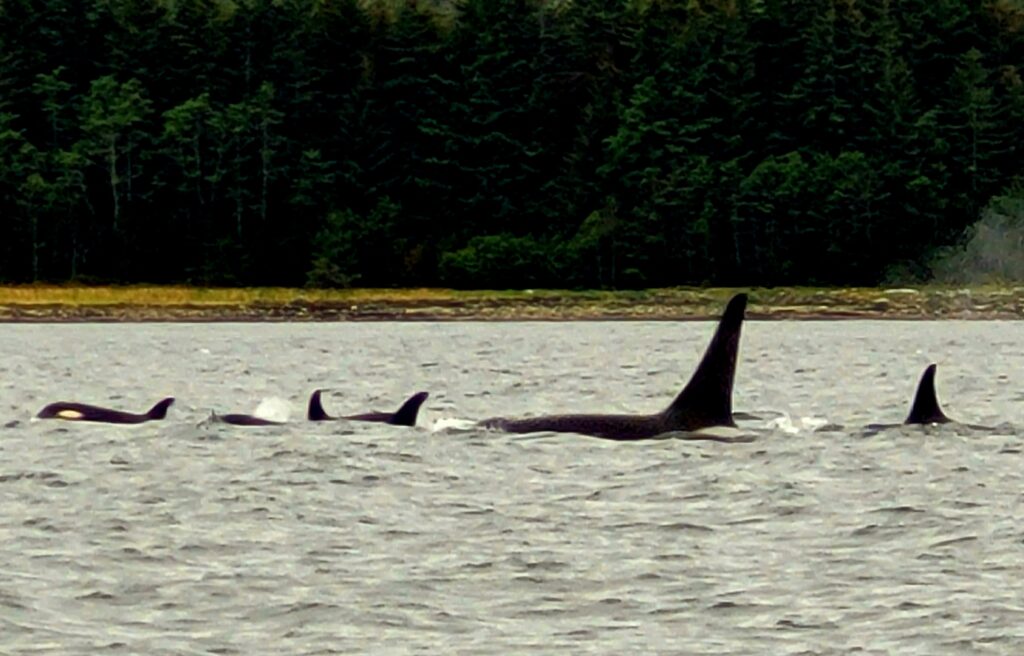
{"x": 501, "y": 143}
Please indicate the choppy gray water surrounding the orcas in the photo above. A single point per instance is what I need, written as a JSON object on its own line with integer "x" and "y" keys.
{"x": 186, "y": 538}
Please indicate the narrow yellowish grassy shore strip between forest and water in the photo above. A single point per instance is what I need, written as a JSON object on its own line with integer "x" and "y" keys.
{"x": 38, "y": 303}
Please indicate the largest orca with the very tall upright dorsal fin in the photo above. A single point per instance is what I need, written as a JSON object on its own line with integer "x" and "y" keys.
{"x": 705, "y": 403}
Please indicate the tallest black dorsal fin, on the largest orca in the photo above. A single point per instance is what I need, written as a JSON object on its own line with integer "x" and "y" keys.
{"x": 707, "y": 400}
